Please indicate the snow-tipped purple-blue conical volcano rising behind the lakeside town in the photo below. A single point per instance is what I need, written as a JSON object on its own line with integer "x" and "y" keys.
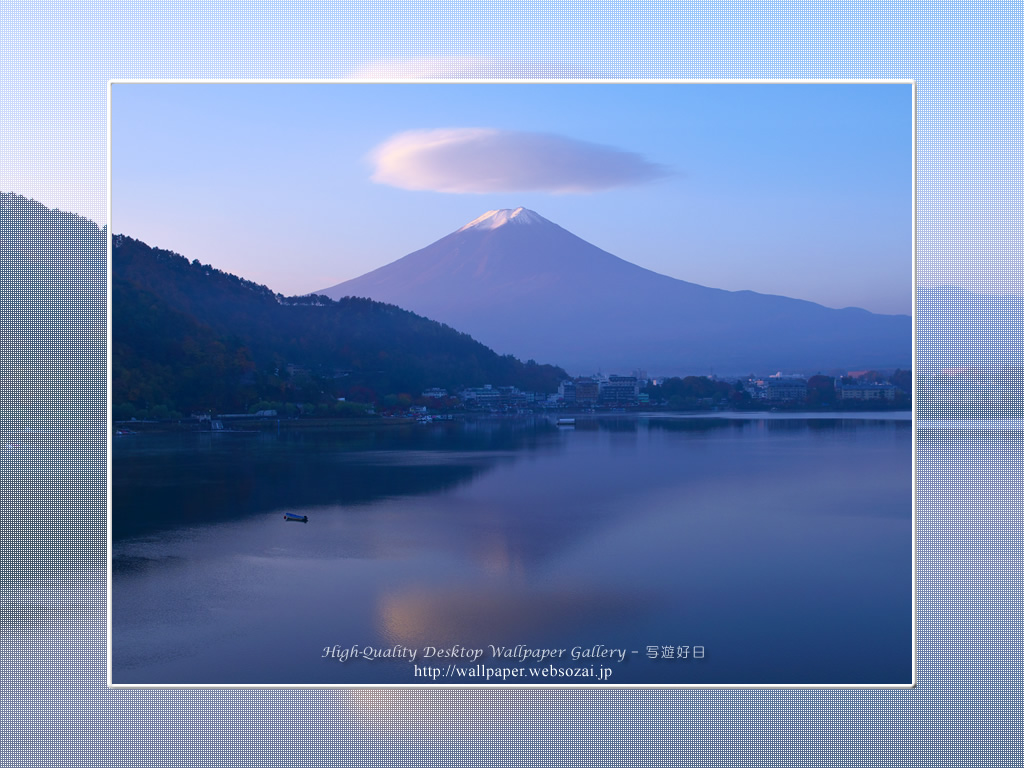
{"x": 525, "y": 286}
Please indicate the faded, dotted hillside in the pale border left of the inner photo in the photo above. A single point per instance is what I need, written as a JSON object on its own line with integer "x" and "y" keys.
{"x": 53, "y": 313}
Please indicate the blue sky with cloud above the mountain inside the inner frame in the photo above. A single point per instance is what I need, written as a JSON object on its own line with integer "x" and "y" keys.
{"x": 801, "y": 190}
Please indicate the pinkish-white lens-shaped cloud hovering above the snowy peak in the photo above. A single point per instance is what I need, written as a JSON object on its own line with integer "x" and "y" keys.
{"x": 486, "y": 160}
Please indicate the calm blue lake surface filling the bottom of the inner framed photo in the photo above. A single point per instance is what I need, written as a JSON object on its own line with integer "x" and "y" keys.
{"x": 783, "y": 546}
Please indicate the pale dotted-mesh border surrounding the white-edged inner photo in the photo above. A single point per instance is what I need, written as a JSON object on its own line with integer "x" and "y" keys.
{"x": 56, "y": 59}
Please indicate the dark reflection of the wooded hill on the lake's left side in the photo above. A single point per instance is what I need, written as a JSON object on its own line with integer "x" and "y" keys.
{"x": 164, "y": 482}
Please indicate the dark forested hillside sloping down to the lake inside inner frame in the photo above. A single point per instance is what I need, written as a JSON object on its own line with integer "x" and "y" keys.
{"x": 188, "y": 338}
